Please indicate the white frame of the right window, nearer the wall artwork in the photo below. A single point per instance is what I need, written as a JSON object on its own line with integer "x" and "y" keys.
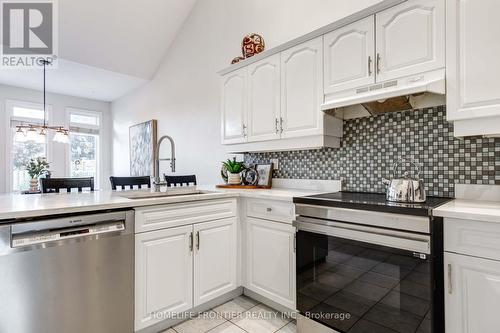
{"x": 84, "y": 112}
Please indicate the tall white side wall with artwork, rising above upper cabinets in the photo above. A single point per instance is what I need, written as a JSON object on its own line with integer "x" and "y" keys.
{"x": 184, "y": 94}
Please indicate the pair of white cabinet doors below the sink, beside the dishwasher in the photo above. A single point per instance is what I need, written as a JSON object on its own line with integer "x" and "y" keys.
{"x": 182, "y": 267}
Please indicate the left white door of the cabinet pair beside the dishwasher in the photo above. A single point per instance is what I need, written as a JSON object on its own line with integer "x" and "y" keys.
{"x": 163, "y": 274}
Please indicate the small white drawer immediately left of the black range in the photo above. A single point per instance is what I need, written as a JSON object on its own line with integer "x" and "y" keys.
{"x": 271, "y": 210}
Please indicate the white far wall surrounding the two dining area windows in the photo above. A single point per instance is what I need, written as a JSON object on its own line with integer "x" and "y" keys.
{"x": 58, "y": 156}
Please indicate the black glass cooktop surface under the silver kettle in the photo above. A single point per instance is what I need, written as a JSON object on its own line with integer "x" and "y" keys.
{"x": 371, "y": 201}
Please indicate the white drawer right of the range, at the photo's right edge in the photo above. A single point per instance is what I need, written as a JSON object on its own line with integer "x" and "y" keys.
{"x": 480, "y": 239}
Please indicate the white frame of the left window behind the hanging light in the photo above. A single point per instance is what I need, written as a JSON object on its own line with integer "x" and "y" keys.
{"x": 10, "y": 104}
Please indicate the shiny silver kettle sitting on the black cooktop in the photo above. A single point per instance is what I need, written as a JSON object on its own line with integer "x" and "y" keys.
{"x": 405, "y": 188}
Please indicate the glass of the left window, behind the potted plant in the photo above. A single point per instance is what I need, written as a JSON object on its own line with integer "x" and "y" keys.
{"x": 22, "y": 149}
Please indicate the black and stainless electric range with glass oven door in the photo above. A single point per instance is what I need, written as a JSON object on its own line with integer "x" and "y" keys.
{"x": 368, "y": 265}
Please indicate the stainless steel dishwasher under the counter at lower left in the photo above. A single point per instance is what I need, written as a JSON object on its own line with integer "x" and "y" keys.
{"x": 69, "y": 274}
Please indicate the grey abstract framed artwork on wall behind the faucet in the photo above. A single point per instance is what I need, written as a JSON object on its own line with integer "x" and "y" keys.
{"x": 142, "y": 145}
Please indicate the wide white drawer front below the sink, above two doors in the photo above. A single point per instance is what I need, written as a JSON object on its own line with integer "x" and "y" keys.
{"x": 167, "y": 216}
